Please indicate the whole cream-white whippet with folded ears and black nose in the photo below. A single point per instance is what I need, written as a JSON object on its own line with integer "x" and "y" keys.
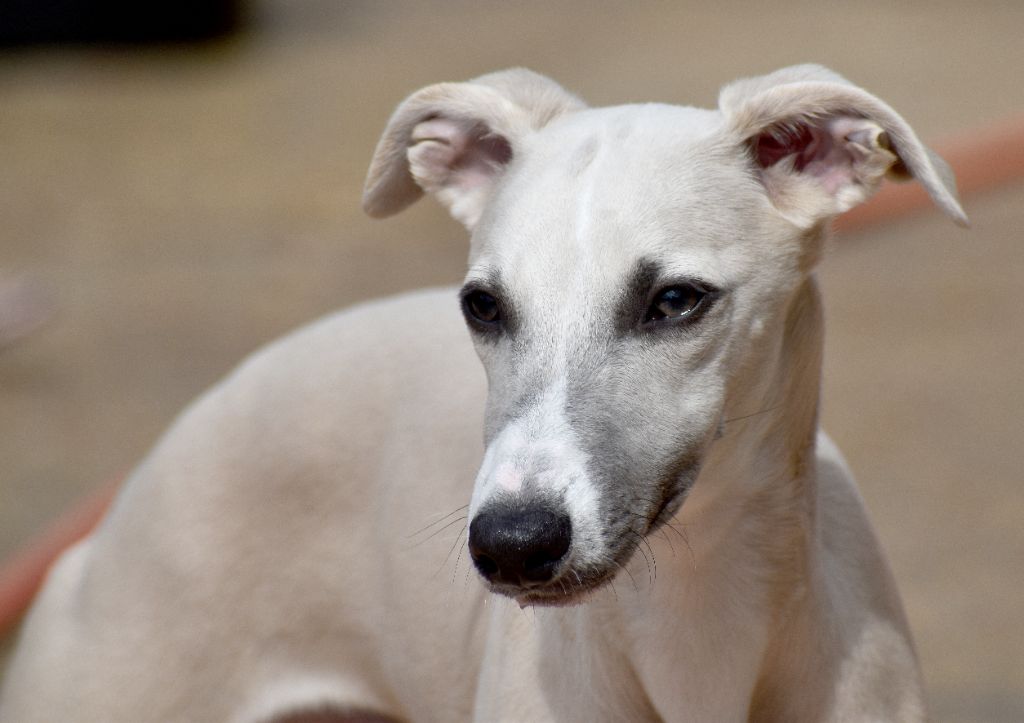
{"x": 654, "y": 489}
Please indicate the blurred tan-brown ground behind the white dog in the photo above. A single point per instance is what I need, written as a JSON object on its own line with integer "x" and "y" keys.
{"x": 186, "y": 205}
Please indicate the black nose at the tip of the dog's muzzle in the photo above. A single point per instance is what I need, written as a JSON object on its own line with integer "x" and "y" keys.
{"x": 521, "y": 545}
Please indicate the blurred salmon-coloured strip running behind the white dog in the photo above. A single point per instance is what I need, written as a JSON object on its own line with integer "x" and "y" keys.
{"x": 983, "y": 159}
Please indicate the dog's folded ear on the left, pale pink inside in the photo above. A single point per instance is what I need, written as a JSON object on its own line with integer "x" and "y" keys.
{"x": 454, "y": 140}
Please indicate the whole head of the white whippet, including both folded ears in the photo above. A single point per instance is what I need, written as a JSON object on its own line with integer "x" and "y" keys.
{"x": 626, "y": 265}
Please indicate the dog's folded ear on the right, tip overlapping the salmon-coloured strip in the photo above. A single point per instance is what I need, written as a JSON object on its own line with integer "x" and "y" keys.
{"x": 821, "y": 146}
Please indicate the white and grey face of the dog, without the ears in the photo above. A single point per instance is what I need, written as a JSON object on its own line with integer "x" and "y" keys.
{"x": 610, "y": 291}
